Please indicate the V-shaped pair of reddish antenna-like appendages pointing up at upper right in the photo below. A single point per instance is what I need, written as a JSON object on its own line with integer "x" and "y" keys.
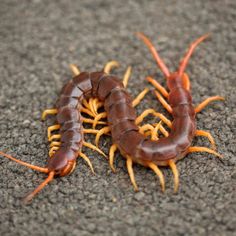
{"x": 161, "y": 63}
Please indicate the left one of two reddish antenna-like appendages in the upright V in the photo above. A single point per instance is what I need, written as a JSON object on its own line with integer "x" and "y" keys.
{"x": 155, "y": 54}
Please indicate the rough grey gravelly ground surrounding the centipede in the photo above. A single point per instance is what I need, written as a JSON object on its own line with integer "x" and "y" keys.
{"x": 38, "y": 40}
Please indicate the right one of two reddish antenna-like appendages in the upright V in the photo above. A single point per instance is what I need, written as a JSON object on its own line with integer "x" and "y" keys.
{"x": 185, "y": 60}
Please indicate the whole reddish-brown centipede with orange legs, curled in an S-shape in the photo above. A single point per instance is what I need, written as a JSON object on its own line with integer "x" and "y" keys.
{"x": 87, "y": 91}
